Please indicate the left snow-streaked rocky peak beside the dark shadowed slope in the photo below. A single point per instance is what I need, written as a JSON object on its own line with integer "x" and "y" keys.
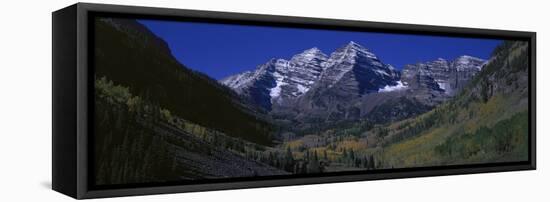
{"x": 279, "y": 79}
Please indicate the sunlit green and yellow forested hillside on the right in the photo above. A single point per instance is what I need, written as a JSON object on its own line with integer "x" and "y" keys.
{"x": 487, "y": 122}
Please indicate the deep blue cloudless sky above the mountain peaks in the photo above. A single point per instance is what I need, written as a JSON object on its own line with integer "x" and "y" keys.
{"x": 220, "y": 50}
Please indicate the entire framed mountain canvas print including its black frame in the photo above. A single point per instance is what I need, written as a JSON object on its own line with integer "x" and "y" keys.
{"x": 153, "y": 100}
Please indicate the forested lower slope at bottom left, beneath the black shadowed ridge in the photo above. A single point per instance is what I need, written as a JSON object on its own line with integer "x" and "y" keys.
{"x": 138, "y": 141}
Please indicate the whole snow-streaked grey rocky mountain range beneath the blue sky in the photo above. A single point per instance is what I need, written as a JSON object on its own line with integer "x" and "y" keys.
{"x": 349, "y": 83}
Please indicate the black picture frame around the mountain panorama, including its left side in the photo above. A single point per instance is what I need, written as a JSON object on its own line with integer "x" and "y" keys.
{"x": 72, "y": 99}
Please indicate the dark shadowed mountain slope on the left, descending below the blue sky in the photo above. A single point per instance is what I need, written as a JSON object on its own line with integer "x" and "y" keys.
{"x": 130, "y": 55}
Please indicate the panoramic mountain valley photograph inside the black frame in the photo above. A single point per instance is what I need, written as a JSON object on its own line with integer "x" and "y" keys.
{"x": 186, "y": 101}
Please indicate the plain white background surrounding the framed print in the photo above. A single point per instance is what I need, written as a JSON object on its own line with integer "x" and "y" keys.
{"x": 25, "y": 102}
